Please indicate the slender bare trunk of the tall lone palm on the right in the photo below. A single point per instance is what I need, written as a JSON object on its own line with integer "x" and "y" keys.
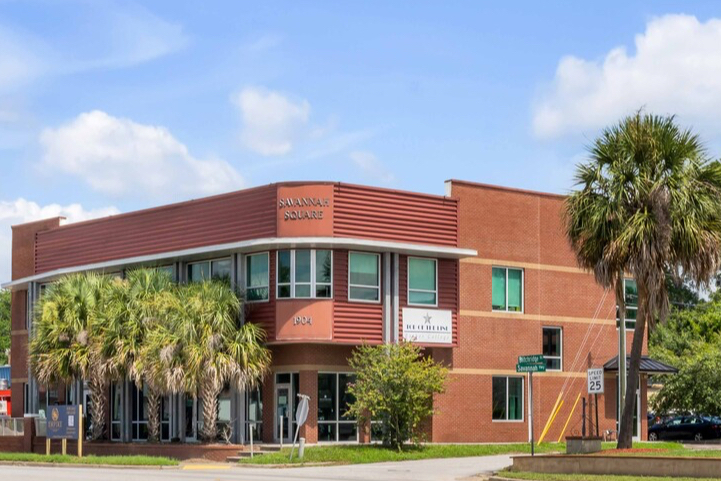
{"x": 625, "y": 435}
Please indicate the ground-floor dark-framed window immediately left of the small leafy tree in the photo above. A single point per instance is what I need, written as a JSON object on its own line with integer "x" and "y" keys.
{"x": 333, "y": 402}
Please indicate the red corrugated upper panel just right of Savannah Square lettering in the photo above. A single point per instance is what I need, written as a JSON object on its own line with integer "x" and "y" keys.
{"x": 372, "y": 213}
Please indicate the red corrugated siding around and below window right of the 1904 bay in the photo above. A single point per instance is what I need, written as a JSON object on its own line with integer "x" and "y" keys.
{"x": 353, "y": 322}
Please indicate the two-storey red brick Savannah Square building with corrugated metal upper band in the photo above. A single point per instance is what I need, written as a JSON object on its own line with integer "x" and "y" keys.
{"x": 478, "y": 277}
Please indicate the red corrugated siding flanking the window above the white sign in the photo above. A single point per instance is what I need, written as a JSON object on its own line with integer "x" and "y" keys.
{"x": 448, "y": 294}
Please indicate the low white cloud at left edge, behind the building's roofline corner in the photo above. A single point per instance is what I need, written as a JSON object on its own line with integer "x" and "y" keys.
{"x": 21, "y": 210}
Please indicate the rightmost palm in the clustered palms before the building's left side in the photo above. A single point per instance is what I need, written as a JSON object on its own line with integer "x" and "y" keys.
{"x": 205, "y": 347}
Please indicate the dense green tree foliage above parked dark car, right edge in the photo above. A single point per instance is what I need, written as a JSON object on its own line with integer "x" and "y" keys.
{"x": 691, "y": 341}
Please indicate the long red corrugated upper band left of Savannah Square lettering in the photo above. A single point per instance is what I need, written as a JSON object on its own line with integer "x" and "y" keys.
{"x": 236, "y": 216}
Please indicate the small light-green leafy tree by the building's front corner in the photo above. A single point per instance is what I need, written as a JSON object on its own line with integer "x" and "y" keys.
{"x": 395, "y": 385}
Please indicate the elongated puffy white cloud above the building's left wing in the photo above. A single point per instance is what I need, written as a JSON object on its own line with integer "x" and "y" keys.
{"x": 117, "y": 156}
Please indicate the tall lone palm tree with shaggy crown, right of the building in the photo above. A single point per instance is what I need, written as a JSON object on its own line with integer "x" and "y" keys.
{"x": 647, "y": 204}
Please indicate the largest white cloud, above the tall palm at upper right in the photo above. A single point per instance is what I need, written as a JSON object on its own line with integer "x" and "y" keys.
{"x": 675, "y": 69}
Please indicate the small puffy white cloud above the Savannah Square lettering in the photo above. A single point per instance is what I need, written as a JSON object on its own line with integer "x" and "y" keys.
{"x": 272, "y": 123}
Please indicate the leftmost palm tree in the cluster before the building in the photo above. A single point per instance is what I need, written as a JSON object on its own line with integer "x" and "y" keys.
{"x": 62, "y": 348}
